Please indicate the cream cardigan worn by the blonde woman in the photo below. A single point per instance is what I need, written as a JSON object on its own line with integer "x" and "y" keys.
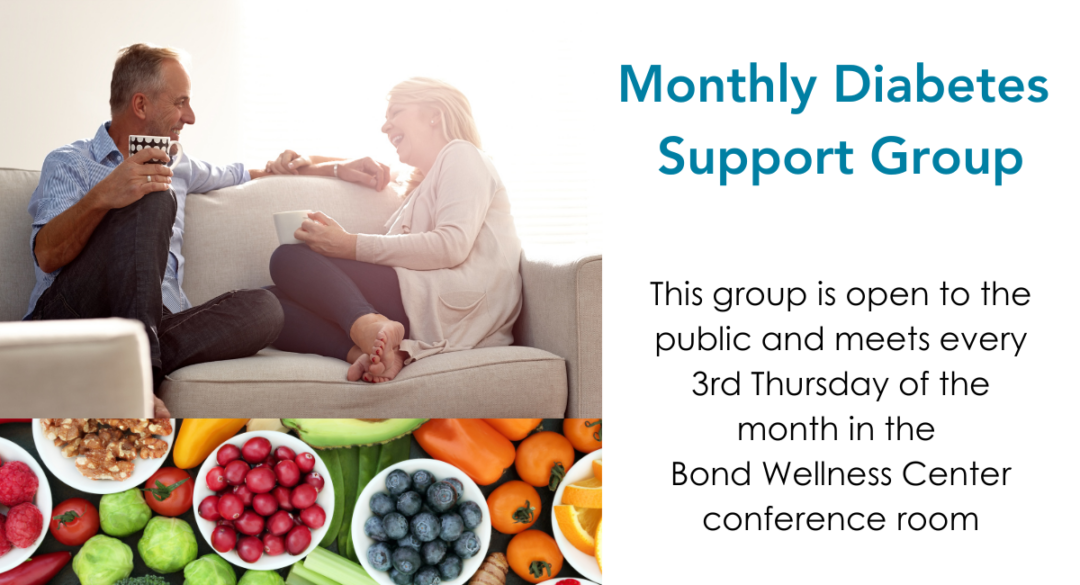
{"x": 456, "y": 252}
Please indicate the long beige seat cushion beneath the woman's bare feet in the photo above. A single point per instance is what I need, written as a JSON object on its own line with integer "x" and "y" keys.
{"x": 492, "y": 383}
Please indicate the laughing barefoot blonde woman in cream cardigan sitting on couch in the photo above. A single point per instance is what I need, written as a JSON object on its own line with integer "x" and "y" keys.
{"x": 445, "y": 276}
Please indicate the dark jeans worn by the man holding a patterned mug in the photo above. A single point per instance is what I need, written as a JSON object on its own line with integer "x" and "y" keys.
{"x": 119, "y": 274}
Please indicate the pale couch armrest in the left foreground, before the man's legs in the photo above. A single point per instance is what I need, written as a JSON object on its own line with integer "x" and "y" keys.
{"x": 98, "y": 369}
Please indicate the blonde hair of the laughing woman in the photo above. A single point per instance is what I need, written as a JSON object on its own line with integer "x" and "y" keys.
{"x": 453, "y": 106}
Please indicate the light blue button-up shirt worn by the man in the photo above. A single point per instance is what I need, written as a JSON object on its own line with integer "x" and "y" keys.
{"x": 71, "y": 172}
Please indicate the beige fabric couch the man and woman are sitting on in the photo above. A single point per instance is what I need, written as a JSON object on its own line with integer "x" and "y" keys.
{"x": 553, "y": 371}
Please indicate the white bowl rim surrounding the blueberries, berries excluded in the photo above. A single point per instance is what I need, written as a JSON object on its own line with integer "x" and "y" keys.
{"x": 441, "y": 471}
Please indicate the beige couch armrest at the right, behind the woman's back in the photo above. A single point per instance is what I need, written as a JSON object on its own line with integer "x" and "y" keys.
{"x": 561, "y": 314}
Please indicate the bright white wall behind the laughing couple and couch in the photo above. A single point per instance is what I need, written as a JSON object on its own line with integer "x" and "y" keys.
{"x": 314, "y": 78}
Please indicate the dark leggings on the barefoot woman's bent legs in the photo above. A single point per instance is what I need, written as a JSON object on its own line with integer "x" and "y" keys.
{"x": 322, "y": 298}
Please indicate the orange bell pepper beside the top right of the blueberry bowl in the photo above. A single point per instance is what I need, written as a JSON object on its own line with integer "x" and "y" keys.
{"x": 470, "y": 445}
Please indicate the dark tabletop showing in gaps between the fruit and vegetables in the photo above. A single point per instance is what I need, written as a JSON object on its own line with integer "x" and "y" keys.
{"x": 20, "y": 433}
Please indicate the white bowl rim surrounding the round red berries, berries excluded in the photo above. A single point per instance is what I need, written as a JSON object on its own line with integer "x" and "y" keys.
{"x": 326, "y": 500}
